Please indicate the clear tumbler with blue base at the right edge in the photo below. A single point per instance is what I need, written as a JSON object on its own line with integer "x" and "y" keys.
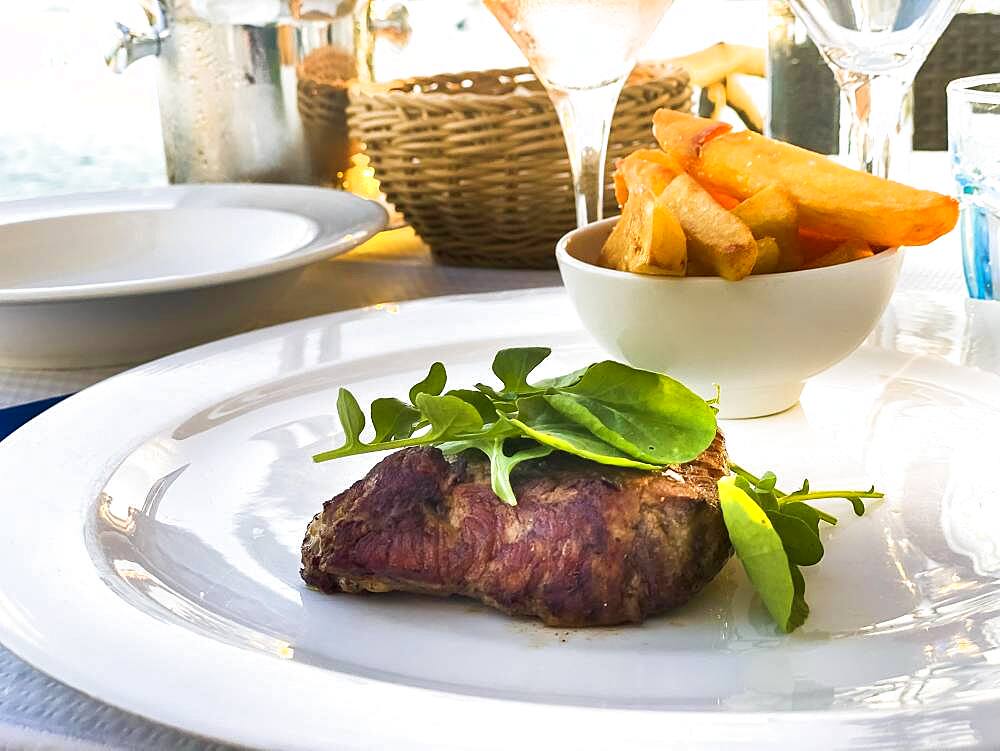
{"x": 974, "y": 143}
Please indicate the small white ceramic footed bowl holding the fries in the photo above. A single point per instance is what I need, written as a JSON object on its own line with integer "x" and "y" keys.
{"x": 759, "y": 338}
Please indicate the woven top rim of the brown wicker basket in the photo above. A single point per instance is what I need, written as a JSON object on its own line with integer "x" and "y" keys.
{"x": 400, "y": 90}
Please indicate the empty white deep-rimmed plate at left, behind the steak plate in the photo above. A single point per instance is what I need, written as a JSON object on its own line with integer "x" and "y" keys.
{"x": 100, "y": 279}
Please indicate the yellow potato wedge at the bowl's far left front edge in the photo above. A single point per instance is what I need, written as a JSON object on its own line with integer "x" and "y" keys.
{"x": 648, "y": 239}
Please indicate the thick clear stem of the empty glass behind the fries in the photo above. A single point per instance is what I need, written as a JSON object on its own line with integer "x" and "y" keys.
{"x": 871, "y": 117}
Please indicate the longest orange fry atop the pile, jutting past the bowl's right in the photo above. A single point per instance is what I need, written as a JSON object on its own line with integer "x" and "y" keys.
{"x": 832, "y": 199}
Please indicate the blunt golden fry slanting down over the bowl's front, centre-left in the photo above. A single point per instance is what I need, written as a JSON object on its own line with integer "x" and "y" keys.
{"x": 715, "y": 238}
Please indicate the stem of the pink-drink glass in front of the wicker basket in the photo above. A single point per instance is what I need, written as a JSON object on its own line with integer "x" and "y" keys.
{"x": 585, "y": 116}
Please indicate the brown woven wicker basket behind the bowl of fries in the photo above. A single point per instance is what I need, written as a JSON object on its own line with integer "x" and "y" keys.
{"x": 476, "y": 161}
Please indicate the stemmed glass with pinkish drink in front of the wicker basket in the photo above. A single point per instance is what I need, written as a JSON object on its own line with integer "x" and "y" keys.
{"x": 582, "y": 51}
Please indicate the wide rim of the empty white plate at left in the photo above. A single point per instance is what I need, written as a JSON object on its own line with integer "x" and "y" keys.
{"x": 323, "y": 206}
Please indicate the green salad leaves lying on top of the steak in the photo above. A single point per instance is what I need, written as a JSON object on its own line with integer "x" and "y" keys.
{"x": 607, "y": 413}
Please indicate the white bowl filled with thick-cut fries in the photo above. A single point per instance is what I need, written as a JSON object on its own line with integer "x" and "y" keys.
{"x": 742, "y": 262}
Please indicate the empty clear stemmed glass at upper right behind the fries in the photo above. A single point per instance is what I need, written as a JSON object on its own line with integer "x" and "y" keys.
{"x": 875, "y": 48}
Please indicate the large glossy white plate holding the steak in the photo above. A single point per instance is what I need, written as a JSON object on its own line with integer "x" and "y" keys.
{"x": 149, "y": 556}
